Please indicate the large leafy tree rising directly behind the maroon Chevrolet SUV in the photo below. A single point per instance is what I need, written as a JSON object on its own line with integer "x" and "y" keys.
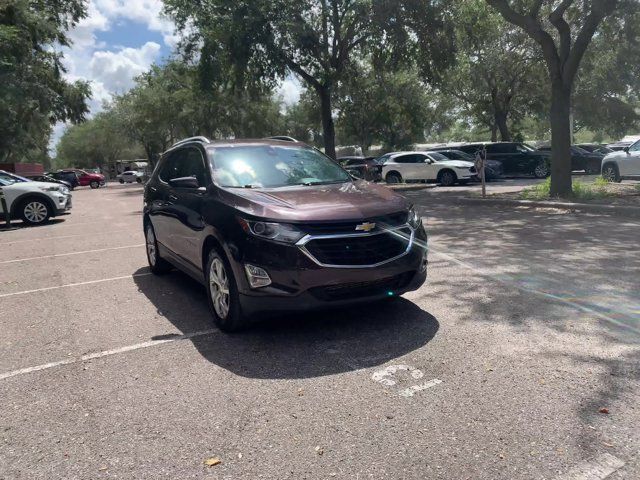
{"x": 315, "y": 39}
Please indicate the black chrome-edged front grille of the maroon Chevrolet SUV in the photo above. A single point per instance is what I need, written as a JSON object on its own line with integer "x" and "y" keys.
{"x": 360, "y": 250}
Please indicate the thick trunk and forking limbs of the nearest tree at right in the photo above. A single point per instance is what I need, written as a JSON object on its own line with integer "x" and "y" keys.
{"x": 564, "y": 36}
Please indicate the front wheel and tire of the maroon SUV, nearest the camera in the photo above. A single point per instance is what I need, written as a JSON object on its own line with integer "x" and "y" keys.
{"x": 225, "y": 308}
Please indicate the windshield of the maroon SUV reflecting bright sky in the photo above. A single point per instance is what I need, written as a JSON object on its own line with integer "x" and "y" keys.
{"x": 273, "y": 167}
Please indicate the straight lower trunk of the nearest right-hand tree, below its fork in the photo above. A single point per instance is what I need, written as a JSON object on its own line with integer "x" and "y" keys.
{"x": 560, "y": 139}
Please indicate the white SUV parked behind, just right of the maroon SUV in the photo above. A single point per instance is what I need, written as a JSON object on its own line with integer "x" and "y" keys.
{"x": 429, "y": 166}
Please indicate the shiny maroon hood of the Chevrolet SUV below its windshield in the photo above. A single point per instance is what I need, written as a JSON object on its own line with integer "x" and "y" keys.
{"x": 348, "y": 201}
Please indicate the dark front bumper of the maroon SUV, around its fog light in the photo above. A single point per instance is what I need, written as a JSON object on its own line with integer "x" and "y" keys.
{"x": 300, "y": 284}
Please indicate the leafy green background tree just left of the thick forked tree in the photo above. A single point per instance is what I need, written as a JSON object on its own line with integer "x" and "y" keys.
{"x": 497, "y": 74}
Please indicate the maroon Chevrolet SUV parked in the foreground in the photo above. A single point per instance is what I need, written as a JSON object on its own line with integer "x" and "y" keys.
{"x": 276, "y": 226}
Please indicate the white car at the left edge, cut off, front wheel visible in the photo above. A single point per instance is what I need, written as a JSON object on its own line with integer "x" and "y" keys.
{"x": 33, "y": 202}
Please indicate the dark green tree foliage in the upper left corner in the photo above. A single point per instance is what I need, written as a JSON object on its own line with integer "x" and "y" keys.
{"x": 34, "y": 95}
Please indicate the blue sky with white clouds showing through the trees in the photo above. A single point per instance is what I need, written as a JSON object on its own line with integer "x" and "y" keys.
{"x": 119, "y": 40}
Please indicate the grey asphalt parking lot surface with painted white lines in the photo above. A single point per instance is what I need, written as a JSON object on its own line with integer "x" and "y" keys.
{"x": 519, "y": 359}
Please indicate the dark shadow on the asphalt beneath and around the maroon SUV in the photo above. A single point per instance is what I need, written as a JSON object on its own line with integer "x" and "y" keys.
{"x": 294, "y": 346}
